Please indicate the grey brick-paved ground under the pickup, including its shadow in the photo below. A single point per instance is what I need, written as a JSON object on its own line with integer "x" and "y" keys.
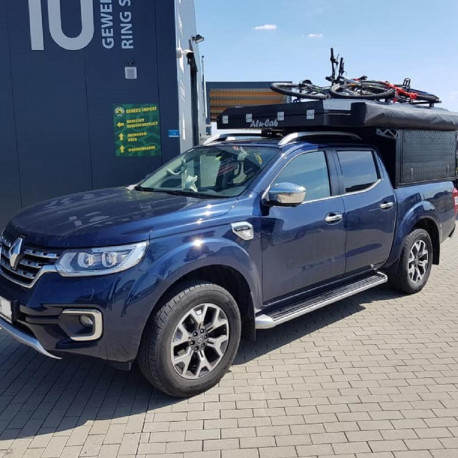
{"x": 375, "y": 376}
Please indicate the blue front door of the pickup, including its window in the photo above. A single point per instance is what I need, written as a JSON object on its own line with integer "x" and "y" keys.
{"x": 305, "y": 245}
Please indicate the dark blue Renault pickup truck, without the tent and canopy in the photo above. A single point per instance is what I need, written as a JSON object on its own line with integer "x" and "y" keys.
{"x": 240, "y": 234}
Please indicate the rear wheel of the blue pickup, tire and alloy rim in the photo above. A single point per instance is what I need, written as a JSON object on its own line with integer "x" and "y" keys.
{"x": 417, "y": 249}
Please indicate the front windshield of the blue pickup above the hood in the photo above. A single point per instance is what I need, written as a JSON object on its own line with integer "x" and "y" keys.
{"x": 213, "y": 171}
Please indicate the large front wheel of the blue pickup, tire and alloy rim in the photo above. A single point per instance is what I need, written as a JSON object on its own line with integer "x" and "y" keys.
{"x": 181, "y": 357}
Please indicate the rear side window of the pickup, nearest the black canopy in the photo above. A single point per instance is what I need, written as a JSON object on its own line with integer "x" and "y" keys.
{"x": 358, "y": 169}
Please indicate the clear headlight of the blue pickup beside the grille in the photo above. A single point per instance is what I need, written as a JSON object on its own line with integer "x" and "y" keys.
{"x": 100, "y": 261}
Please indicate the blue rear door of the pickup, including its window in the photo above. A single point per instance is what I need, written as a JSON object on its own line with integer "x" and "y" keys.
{"x": 370, "y": 209}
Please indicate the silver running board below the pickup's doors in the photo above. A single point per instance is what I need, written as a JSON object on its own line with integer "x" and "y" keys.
{"x": 286, "y": 313}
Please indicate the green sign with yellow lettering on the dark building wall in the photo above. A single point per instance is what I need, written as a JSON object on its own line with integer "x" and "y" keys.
{"x": 137, "y": 131}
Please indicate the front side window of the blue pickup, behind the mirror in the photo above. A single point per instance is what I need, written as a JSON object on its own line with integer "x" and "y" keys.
{"x": 311, "y": 171}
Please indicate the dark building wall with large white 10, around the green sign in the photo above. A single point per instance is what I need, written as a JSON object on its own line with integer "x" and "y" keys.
{"x": 56, "y": 110}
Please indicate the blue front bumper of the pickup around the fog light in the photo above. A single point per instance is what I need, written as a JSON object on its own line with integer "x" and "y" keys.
{"x": 47, "y": 317}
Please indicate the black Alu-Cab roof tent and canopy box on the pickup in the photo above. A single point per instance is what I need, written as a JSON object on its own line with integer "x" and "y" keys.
{"x": 417, "y": 143}
